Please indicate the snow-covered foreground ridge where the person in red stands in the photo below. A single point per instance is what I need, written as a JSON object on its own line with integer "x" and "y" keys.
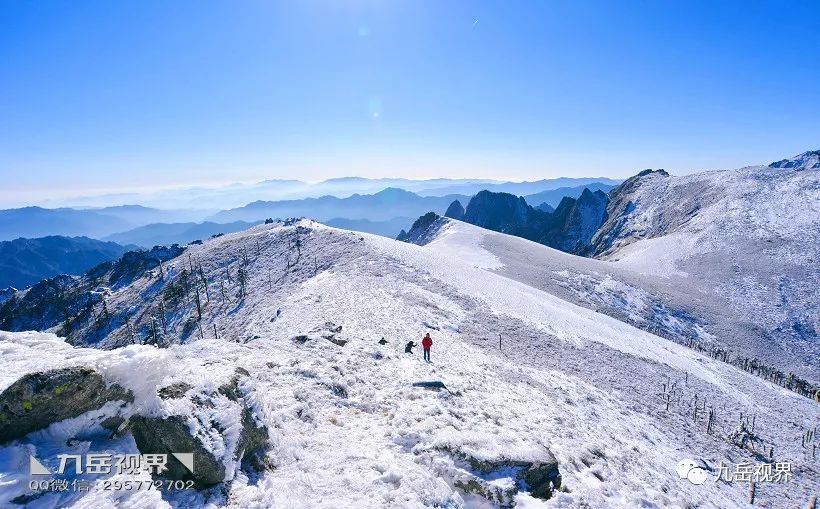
{"x": 348, "y": 429}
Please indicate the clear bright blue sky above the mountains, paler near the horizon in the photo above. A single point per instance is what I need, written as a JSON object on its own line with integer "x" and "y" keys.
{"x": 112, "y": 95}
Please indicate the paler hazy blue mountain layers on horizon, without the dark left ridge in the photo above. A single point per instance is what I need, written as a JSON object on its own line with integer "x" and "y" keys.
{"x": 385, "y": 212}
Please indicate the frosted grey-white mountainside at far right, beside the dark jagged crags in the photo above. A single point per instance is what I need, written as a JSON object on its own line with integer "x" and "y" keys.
{"x": 748, "y": 239}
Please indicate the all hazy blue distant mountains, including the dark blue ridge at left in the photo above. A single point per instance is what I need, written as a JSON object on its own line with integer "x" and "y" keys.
{"x": 44, "y": 249}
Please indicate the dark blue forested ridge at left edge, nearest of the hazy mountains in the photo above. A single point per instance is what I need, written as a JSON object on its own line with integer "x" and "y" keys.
{"x": 24, "y": 262}
